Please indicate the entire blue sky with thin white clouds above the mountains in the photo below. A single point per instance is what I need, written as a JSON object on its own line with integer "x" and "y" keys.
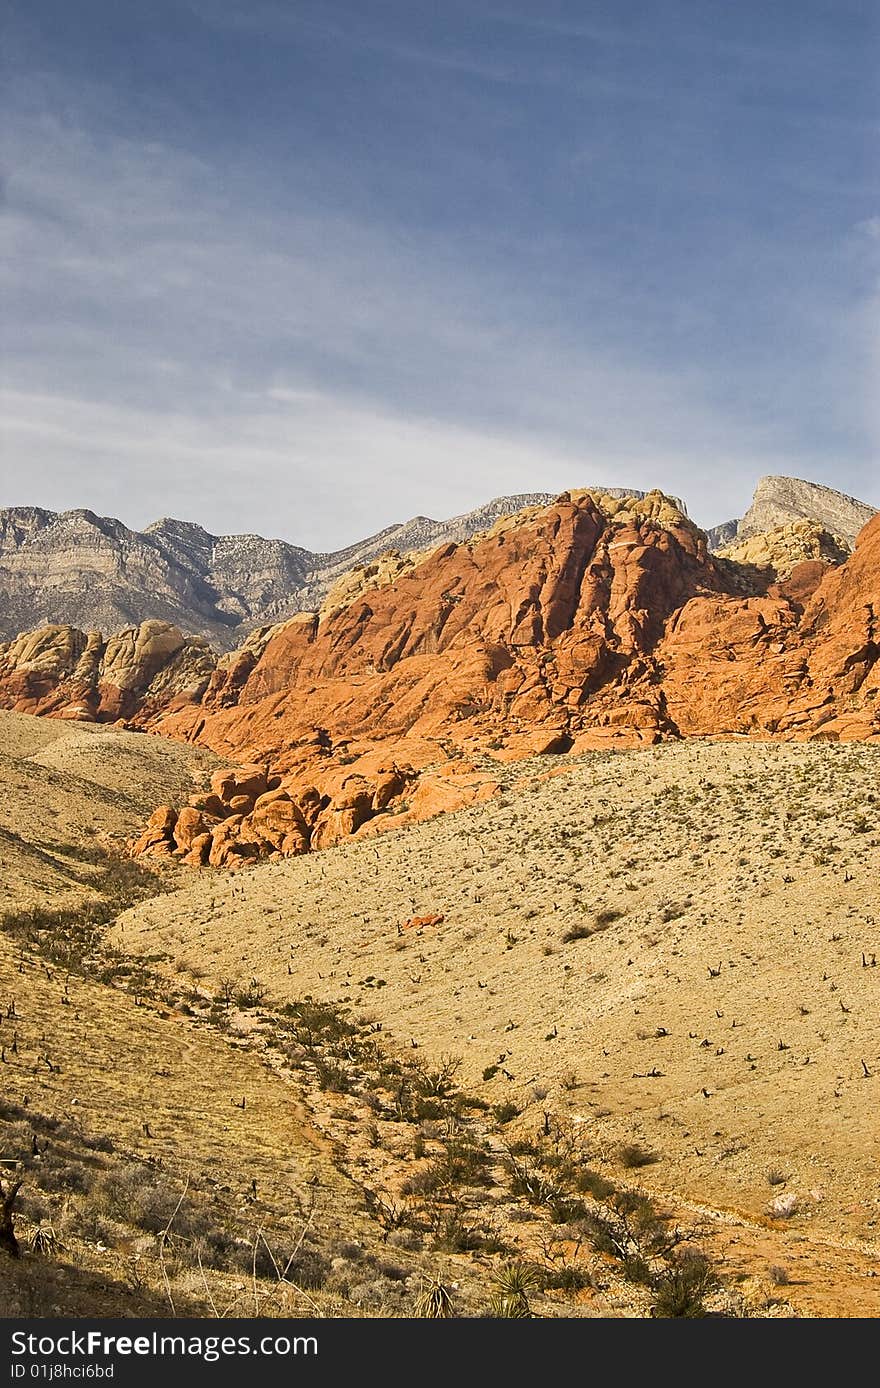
{"x": 312, "y": 269}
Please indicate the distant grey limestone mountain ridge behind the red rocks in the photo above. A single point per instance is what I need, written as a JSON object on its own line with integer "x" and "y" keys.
{"x": 94, "y": 573}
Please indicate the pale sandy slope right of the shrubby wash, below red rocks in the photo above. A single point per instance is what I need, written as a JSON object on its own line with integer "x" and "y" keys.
{"x": 721, "y": 1019}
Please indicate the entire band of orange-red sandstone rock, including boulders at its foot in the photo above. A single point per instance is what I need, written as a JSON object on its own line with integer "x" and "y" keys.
{"x": 581, "y": 625}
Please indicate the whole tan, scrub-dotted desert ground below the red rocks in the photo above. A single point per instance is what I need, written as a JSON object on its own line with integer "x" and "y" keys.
{"x": 367, "y": 1057}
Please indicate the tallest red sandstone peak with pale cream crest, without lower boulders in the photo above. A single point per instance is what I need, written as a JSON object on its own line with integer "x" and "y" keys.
{"x": 505, "y": 641}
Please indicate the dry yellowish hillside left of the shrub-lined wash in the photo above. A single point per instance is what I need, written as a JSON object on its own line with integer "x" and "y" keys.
{"x": 124, "y": 1115}
